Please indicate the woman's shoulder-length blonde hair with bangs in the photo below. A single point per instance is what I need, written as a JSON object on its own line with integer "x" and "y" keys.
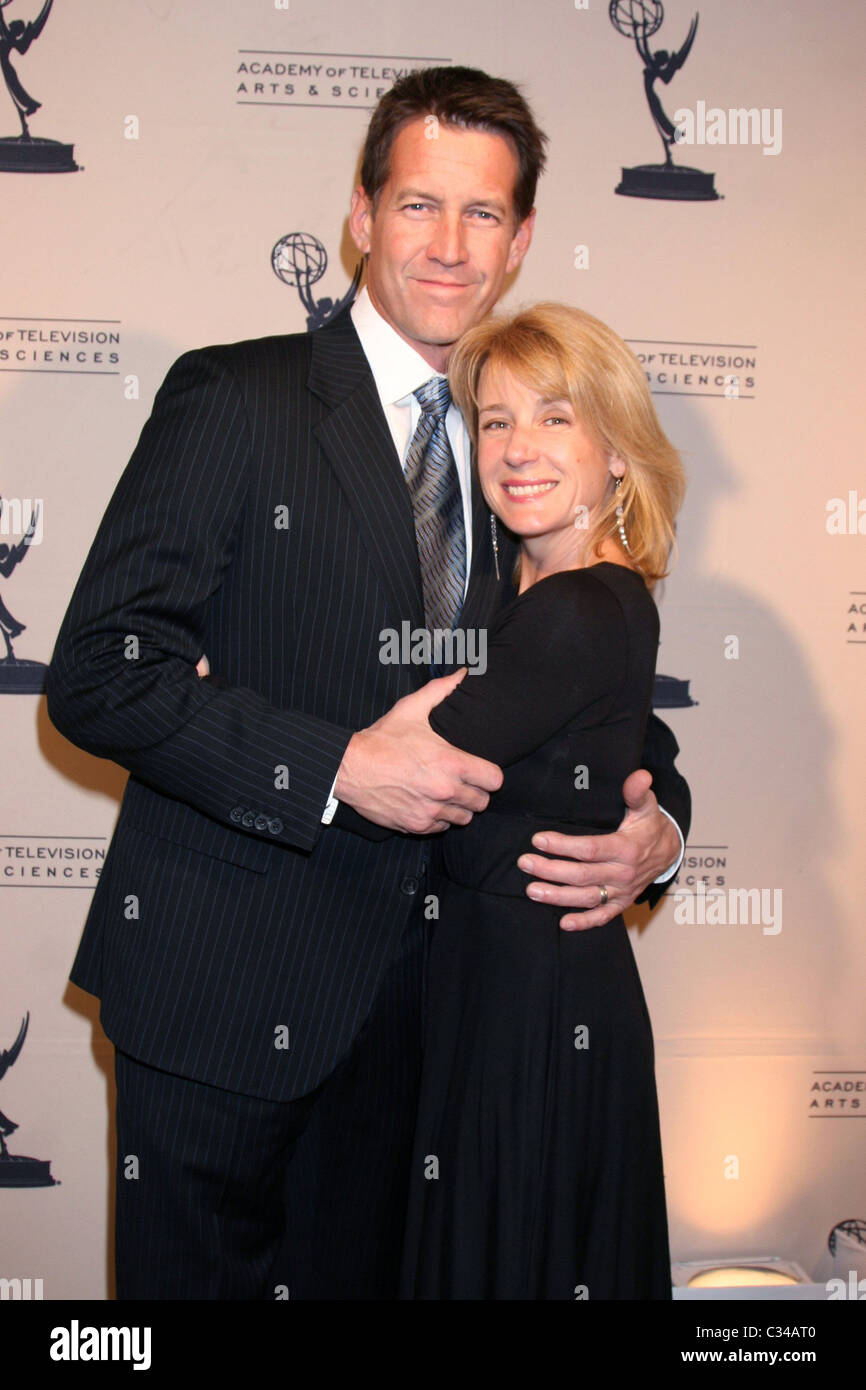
{"x": 565, "y": 354}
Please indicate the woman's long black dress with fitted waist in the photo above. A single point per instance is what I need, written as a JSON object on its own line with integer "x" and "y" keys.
{"x": 537, "y": 1167}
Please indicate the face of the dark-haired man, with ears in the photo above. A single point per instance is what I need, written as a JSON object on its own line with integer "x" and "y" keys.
{"x": 444, "y": 236}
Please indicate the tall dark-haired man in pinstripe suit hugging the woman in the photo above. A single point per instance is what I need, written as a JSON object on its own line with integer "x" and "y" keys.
{"x": 258, "y": 949}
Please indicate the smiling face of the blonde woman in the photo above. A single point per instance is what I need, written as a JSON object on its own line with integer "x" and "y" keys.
{"x": 541, "y": 472}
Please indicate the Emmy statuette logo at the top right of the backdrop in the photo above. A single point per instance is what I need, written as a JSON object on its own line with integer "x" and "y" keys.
{"x": 640, "y": 20}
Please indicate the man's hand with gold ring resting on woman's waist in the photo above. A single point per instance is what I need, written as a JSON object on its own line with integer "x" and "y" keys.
{"x": 623, "y": 862}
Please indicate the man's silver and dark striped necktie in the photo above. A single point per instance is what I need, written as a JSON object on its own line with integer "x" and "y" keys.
{"x": 437, "y": 504}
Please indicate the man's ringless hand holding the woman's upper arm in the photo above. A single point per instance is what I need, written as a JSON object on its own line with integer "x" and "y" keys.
{"x": 398, "y": 774}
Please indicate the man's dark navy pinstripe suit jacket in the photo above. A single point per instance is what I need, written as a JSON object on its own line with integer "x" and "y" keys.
{"x": 226, "y": 910}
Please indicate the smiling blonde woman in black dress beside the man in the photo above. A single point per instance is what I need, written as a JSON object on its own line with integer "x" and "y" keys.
{"x": 537, "y": 1168}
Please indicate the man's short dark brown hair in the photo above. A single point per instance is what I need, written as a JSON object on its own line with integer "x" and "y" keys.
{"x": 464, "y": 98}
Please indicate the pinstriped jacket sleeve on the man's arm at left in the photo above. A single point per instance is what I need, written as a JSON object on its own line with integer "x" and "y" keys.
{"x": 123, "y": 682}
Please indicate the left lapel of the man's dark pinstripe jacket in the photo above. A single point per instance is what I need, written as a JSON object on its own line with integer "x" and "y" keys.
{"x": 358, "y": 443}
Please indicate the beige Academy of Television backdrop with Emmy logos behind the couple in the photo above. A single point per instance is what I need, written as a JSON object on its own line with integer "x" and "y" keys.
{"x": 176, "y": 173}
